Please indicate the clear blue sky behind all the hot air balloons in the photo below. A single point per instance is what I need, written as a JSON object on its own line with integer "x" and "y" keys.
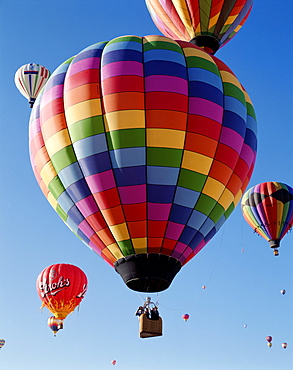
{"x": 242, "y": 287}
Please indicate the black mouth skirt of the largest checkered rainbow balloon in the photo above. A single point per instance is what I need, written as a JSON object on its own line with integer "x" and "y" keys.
{"x": 148, "y": 272}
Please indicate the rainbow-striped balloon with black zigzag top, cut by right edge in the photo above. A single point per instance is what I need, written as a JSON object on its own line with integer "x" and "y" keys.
{"x": 268, "y": 209}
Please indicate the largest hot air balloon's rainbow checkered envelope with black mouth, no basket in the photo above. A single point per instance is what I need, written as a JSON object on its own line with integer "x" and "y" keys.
{"x": 144, "y": 151}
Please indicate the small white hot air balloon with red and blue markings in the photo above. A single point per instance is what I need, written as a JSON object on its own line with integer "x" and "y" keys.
{"x": 30, "y": 79}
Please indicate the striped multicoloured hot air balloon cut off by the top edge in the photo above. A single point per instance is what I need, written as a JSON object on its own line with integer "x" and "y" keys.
{"x": 207, "y": 24}
